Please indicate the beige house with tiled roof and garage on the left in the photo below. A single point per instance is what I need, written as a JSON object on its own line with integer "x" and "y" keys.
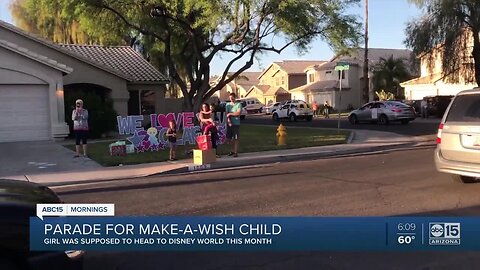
{"x": 35, "y": 74}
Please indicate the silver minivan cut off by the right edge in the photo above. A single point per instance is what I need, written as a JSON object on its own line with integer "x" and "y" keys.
{"x": 458, "y": 138}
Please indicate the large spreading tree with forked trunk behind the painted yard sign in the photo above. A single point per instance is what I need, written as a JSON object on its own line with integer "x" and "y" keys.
{"x": 191, "y": 33}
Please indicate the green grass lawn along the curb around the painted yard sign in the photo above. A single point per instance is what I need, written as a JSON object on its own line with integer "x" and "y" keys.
{"x": 253, "y": 138}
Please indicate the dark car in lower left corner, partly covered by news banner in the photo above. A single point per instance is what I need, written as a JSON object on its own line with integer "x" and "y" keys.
{"x": 18, "y": 201}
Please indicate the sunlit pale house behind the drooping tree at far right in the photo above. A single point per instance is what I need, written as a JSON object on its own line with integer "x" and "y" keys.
{"x": 431, "y": 81}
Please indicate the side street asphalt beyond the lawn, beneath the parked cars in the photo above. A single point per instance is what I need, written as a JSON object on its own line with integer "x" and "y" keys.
{"x": 417, "y": 127}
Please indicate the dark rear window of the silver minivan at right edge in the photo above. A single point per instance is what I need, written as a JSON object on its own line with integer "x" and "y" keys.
{"x": 465, "y": 108}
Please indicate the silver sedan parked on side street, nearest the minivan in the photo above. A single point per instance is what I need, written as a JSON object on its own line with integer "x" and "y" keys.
{"x": 382, "y": 112}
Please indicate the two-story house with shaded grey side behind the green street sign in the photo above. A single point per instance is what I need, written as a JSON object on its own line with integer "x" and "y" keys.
{"x": 323, "y": 81}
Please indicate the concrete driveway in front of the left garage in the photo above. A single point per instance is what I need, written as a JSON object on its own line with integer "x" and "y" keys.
{"x": 20, "y": 159}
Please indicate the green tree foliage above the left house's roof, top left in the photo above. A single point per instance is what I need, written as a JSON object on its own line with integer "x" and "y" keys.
{"x": 68, "y": 21}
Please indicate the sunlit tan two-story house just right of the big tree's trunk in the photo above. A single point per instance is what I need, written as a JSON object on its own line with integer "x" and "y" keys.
{"x": 278, "y": 78}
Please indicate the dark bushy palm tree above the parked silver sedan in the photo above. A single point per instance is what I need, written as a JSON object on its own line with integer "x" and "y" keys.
{"x": 388, "y": 73}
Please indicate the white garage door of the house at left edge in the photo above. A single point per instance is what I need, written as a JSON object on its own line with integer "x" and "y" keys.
{"x": 24, "y": 113}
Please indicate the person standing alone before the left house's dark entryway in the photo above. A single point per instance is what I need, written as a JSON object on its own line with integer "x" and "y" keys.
{"x": 80, "y": 127}
